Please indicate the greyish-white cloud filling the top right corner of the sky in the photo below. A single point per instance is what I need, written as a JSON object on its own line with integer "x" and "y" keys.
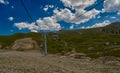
{"x": 111, "y": 5}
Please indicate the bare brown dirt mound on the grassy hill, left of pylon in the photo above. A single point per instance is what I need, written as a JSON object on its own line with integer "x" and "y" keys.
{"x": 25, "y": 44}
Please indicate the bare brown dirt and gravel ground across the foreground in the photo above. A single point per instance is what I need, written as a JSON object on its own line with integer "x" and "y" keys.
{"x": 35, "y": 62}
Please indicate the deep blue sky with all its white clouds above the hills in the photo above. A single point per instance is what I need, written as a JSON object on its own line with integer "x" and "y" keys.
{"x": 55, "y": 15}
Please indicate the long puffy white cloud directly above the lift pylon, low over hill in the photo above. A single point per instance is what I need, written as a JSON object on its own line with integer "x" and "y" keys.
{"x": 47, "y": 23}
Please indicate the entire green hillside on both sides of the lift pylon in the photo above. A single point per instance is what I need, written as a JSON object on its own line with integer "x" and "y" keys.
{"x": 94, "y": 42}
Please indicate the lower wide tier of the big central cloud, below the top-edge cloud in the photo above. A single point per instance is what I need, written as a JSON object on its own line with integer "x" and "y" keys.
{"x": 77, "y": 18}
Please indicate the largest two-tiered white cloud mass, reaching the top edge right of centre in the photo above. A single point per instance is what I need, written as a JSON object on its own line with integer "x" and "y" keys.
{"x": 78, "y": 17}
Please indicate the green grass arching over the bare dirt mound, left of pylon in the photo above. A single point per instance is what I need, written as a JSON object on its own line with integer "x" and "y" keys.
{"x": 8, "y": 40}
